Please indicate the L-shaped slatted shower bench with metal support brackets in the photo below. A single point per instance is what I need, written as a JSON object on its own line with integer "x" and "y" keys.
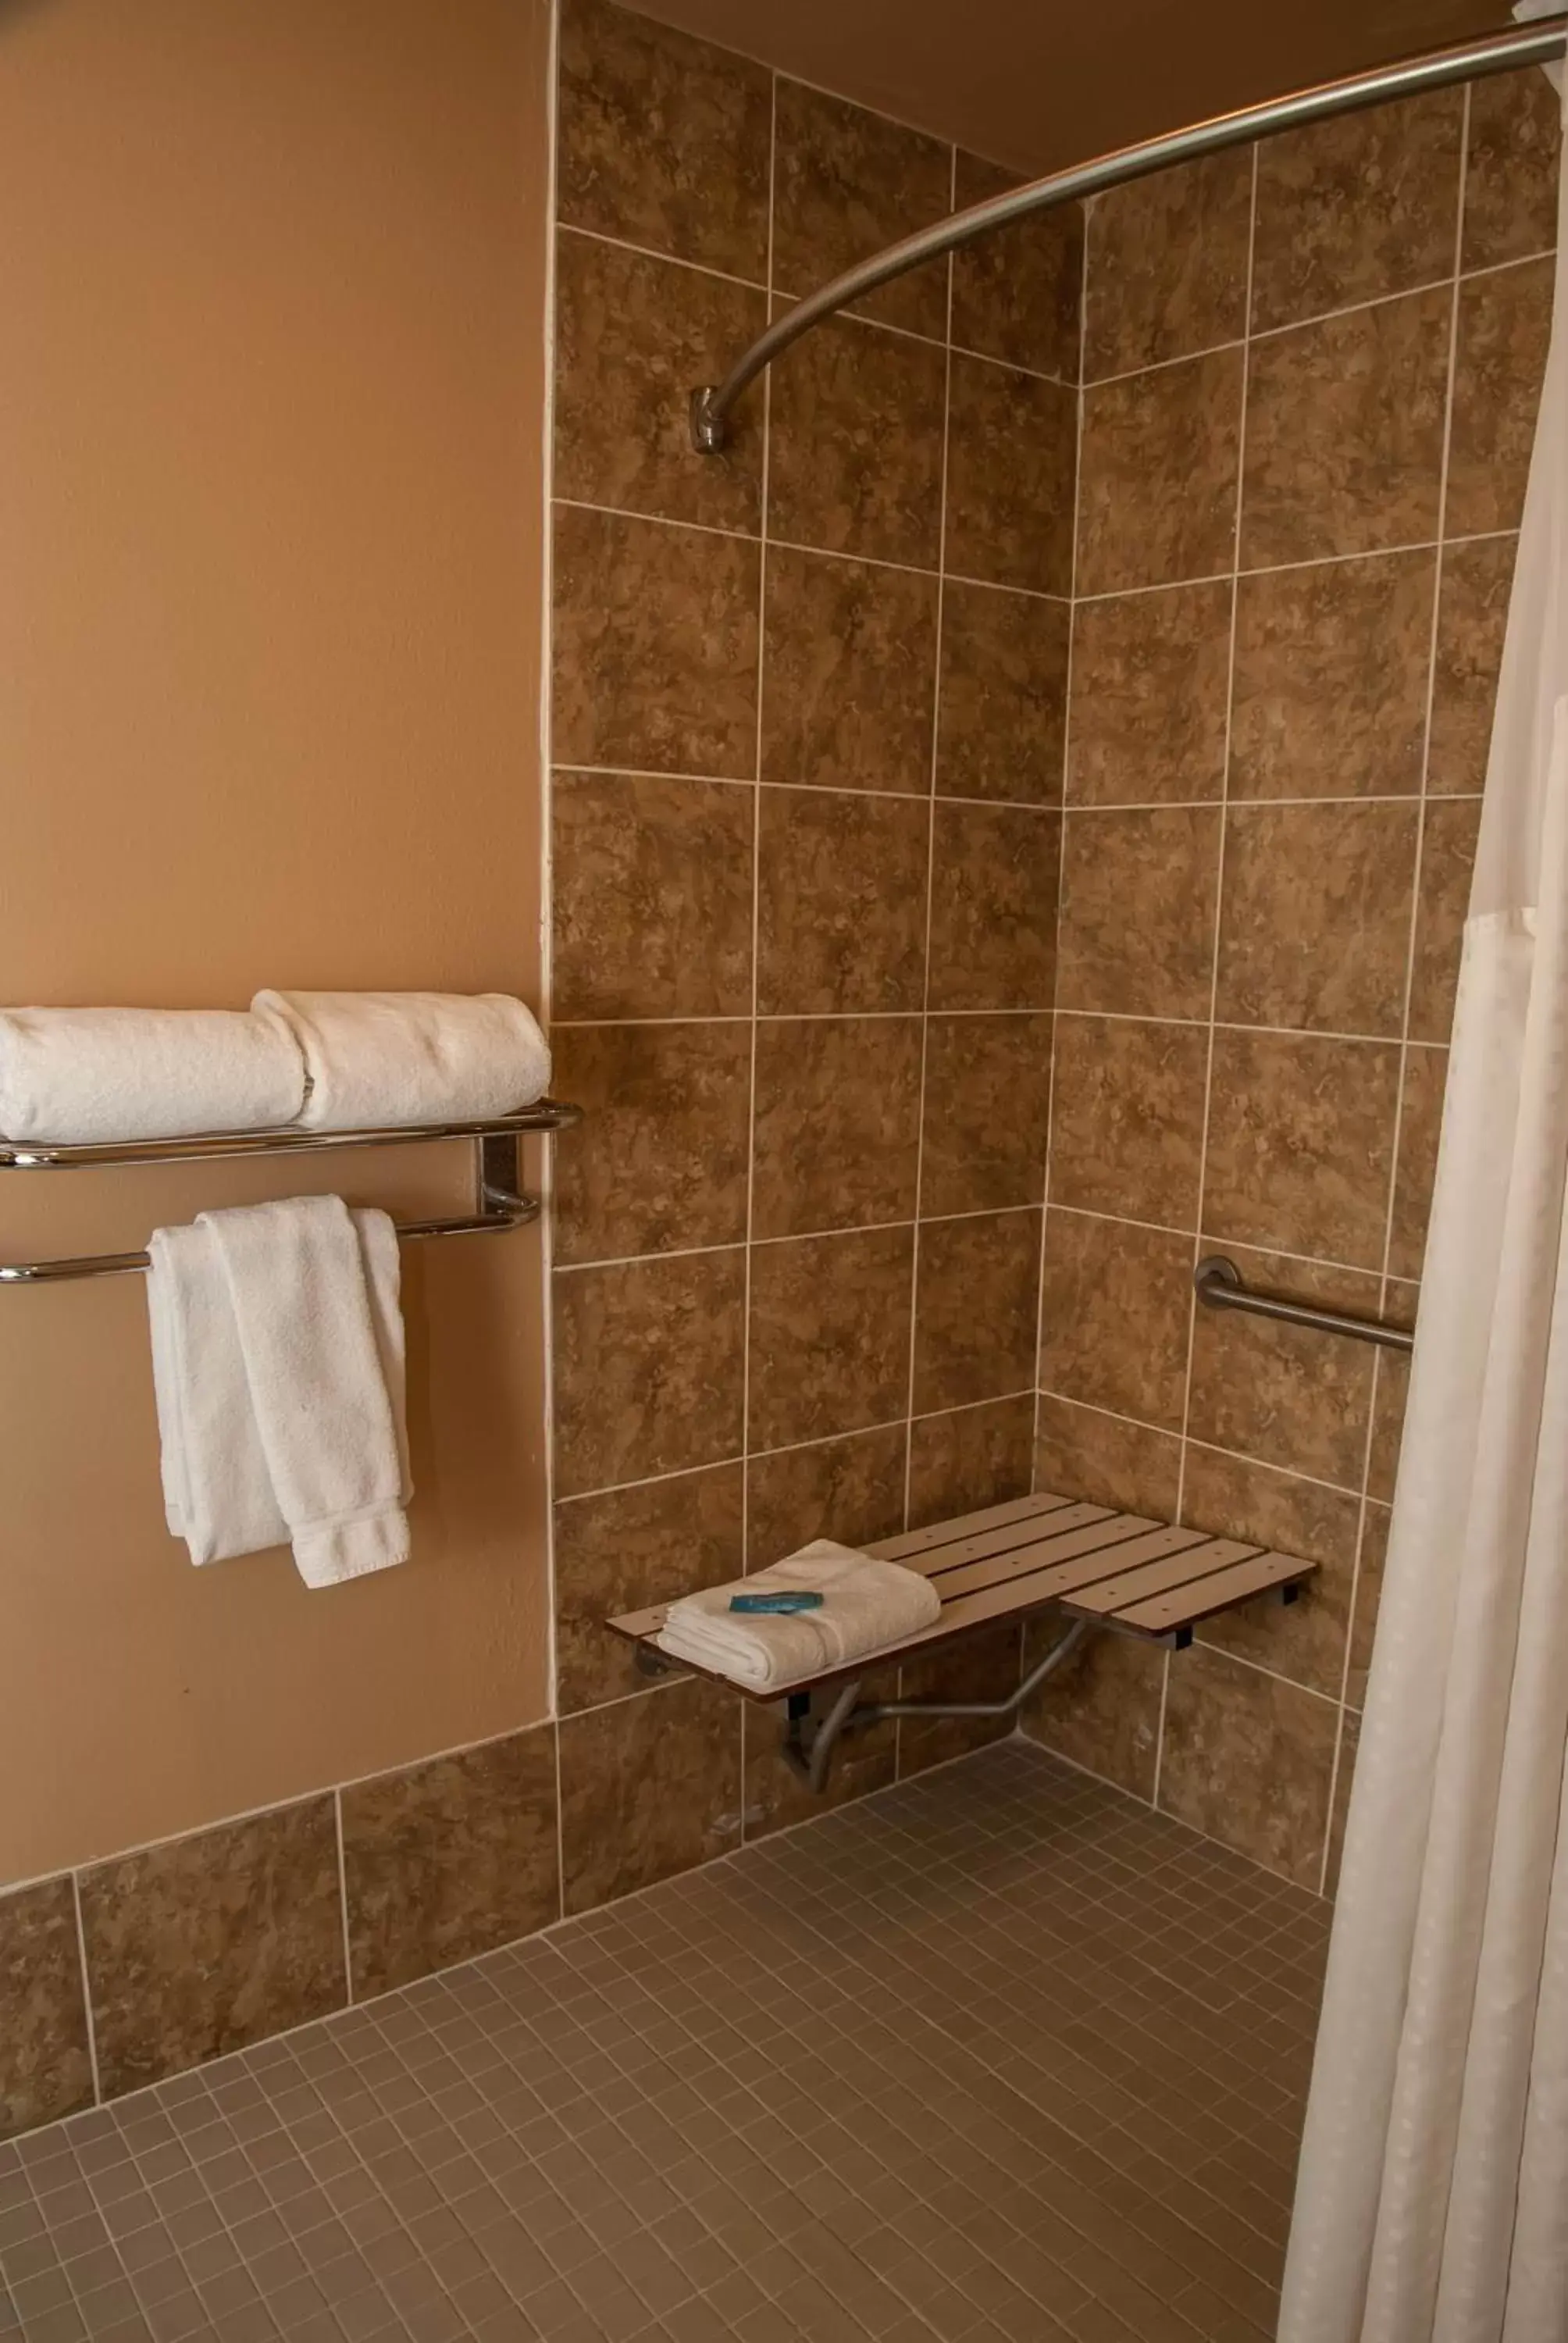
{"x": 1100, "y": 1569}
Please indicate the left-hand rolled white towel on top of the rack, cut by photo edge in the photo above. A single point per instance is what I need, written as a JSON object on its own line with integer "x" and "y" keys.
{"x": 90, "y": 1077}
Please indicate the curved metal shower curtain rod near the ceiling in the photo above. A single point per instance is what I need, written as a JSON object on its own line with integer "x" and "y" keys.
{"x": 1499, "y": 53}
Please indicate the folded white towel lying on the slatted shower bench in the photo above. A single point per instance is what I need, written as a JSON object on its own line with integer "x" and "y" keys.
{"x": 866, "y": 1608}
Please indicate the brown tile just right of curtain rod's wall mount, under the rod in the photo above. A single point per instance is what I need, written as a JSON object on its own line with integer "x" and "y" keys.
{"x": 857, "y": 444}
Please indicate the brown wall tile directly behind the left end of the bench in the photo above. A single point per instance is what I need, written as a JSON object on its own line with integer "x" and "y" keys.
{"x": 632, "y": 1548}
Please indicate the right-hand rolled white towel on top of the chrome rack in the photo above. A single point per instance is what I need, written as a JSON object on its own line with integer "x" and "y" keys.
{"x": 381, "y": 1060}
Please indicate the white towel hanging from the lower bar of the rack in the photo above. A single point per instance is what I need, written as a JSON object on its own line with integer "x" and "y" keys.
{"x": 278, "y": 1362}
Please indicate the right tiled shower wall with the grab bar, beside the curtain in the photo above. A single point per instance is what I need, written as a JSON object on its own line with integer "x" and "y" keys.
{"x": 1311, "y": 381}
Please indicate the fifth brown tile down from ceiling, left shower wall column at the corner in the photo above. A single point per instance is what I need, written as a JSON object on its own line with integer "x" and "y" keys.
{"x": 988, "y": 1114}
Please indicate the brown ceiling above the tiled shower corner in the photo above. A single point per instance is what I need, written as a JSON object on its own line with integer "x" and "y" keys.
{"x": 1039, "y": 86}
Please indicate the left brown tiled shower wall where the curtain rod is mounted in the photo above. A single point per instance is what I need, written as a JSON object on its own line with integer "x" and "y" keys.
{"x": 807, "y": 749}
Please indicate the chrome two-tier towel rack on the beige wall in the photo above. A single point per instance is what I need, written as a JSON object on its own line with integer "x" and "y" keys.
{"x": 498, "y": 1203}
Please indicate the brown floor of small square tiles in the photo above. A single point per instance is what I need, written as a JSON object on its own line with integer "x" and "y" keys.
{"x": 993, "y": 2054}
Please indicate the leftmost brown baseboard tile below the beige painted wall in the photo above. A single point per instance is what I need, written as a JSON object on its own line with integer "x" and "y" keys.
{"x": 46, "y": 2065}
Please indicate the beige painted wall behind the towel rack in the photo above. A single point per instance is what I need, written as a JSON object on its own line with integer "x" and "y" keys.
{"x": 271, "y": 578}
